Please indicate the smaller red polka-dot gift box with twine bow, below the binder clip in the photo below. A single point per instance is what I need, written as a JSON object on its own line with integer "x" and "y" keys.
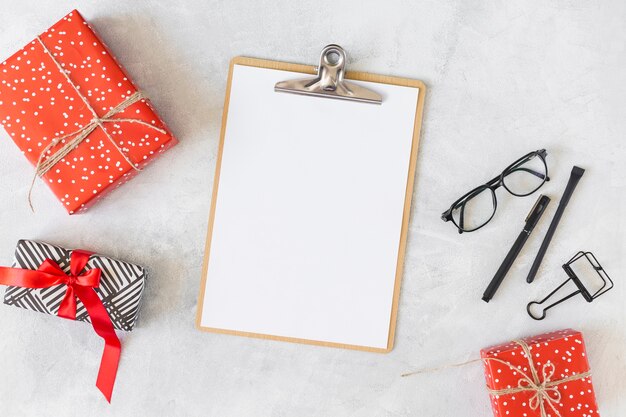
{"x": 542, "y": 376}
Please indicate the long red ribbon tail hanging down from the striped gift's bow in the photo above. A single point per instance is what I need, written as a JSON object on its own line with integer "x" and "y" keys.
{"x": 104, "y": 328}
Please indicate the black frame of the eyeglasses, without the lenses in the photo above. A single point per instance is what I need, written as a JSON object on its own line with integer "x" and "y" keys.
{"x": 493, "y": 185}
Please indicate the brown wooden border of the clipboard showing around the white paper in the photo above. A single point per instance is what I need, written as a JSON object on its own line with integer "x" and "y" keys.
{"x": 359, "y": 76}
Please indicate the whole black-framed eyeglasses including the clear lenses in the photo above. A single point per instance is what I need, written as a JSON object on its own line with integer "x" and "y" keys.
{"x": 476, "y": 208}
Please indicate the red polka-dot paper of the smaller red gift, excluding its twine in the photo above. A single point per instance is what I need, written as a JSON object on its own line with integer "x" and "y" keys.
{"x": 565, "y": 349}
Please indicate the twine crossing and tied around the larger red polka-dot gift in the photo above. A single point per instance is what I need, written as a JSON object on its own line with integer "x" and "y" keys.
{"x": 71, "y": 140}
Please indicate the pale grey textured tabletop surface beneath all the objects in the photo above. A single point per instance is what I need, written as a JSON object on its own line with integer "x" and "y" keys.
{"x": 503, "y": 80}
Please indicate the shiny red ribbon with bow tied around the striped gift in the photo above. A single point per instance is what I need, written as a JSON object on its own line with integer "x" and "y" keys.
{"x": 82, "y": 286}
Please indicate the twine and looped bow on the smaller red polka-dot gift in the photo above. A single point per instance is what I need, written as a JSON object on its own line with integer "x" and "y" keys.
{"x": 545, "y": 390}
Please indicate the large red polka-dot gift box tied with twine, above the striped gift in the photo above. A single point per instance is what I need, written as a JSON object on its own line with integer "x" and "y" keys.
{"x": 76, "y": 115}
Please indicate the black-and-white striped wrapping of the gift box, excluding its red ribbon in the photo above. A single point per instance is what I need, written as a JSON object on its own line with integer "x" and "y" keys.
{"x": 121, "y": 284}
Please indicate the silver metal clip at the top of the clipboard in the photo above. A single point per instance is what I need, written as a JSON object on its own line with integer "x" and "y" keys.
{"x": 330, "y": 81}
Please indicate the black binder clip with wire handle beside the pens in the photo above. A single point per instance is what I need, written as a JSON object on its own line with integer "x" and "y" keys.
{"x": 605, "y": 284}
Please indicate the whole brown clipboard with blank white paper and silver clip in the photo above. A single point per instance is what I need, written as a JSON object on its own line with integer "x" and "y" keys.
{"x": 310, "y": 204}
